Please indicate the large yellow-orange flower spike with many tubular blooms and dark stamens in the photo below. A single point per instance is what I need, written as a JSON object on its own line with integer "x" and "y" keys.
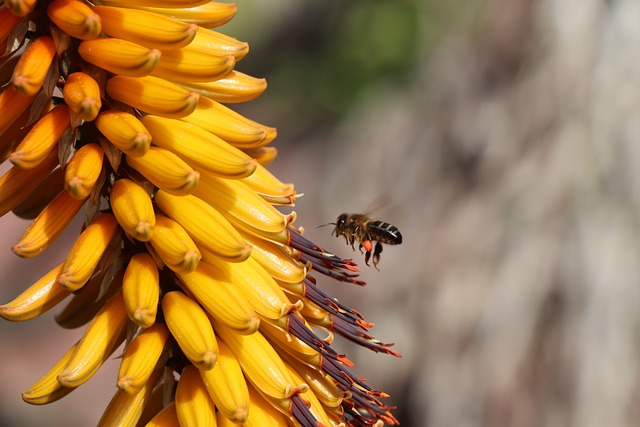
{"x": 115, "y": 110}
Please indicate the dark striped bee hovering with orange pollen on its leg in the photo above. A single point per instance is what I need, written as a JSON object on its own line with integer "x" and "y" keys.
{"x": 364, "y": 230}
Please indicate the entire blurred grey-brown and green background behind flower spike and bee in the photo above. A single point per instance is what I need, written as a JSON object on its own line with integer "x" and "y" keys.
{"x": 503, "y": 139}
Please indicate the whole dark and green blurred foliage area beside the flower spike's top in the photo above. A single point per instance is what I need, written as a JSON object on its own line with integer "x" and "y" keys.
{"x": 320, "y": 57}
